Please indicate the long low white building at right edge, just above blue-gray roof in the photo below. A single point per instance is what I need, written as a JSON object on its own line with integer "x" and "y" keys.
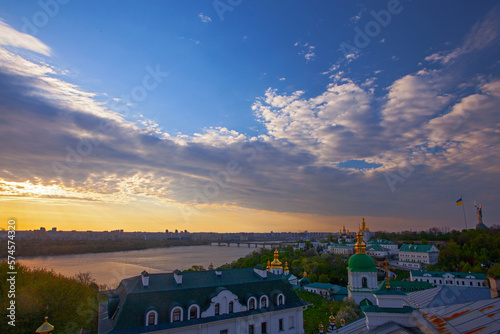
{"x": 449, "y": 278}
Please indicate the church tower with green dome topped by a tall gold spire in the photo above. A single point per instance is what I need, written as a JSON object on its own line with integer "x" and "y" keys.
{"x": 362, "y": 272}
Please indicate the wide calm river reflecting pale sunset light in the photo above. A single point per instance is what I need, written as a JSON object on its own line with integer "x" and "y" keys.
{"x": 110, "y": 268}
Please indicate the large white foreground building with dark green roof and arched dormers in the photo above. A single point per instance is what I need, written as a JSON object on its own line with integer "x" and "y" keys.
{"x": 251, "y": 300}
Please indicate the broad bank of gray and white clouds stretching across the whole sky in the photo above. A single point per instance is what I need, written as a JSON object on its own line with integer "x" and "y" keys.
{"x": 54, "y": 145}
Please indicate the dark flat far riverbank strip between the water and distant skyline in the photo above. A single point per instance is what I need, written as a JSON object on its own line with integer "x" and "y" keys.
{"x": 31, "y": 248}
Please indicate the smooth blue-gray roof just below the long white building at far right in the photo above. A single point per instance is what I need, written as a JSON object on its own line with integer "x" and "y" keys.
{"x": 446, "y": 295}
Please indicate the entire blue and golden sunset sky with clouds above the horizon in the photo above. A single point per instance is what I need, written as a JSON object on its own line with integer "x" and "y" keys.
{"x": 257, "y": 116}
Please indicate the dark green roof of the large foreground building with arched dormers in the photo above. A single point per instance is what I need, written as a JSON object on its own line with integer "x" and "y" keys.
{"x": 197, "y": 287}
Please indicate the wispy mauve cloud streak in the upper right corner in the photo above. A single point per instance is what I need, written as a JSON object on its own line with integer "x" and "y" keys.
{"x": 483, "y": 34}
